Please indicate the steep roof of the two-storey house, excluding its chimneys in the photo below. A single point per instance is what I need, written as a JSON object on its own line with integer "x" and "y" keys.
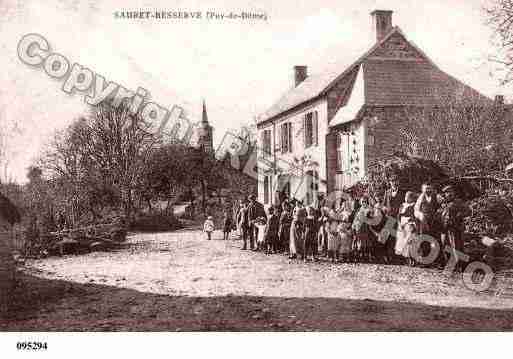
{"x": 396, "y": 72}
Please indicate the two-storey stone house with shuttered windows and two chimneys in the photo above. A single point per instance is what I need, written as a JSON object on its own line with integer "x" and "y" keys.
{"x": 325, "y": 133}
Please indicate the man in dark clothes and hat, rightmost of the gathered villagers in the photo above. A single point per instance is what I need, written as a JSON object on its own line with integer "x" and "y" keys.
{"x": 453, "y": 213}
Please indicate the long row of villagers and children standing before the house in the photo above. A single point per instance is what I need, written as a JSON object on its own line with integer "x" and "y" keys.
{"x": 368, "y": 228}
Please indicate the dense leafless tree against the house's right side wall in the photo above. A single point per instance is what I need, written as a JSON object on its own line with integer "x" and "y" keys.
{"x": 463, "y": 138}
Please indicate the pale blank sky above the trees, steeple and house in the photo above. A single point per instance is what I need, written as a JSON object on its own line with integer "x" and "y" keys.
{"x": 239, "y": 67}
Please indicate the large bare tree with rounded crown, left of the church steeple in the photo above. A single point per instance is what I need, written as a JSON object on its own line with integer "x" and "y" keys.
{"x": 99, "y": 157}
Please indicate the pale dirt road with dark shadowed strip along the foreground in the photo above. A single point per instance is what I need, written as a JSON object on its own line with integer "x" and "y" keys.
{"x": 181, "y": 281}
